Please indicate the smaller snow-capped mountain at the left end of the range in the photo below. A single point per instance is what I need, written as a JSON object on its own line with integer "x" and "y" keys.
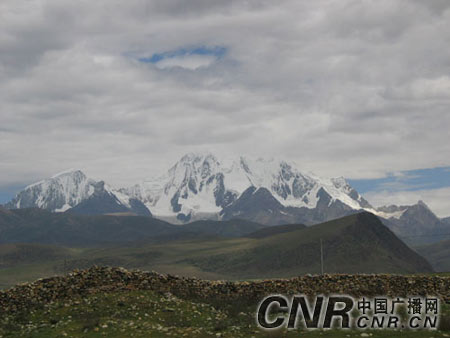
{"x": 73, "y": 189}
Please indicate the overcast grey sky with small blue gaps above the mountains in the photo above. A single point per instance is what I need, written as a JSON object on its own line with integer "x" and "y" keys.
{"x": 122, "y": 89}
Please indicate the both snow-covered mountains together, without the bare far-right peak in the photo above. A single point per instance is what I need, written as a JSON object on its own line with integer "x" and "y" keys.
{"x": 199, "y": 185}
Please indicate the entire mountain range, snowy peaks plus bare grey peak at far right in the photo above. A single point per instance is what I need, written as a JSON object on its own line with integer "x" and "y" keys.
{"x": 202, "y": 186}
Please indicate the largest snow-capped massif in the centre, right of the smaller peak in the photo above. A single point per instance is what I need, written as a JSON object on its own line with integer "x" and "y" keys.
{"x": 203, "y": 186}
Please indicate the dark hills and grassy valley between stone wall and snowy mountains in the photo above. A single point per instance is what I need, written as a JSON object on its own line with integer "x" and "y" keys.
{"x": 232, "y": 250}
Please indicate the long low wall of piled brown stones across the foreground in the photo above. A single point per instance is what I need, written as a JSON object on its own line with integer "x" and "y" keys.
{"x": 106, "y": 279}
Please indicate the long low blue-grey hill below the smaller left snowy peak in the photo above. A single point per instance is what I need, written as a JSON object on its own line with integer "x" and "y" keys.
{"x": 40, "y": 226}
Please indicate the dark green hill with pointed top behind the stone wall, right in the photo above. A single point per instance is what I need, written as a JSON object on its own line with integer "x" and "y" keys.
{"x": 353, "y": 244}
